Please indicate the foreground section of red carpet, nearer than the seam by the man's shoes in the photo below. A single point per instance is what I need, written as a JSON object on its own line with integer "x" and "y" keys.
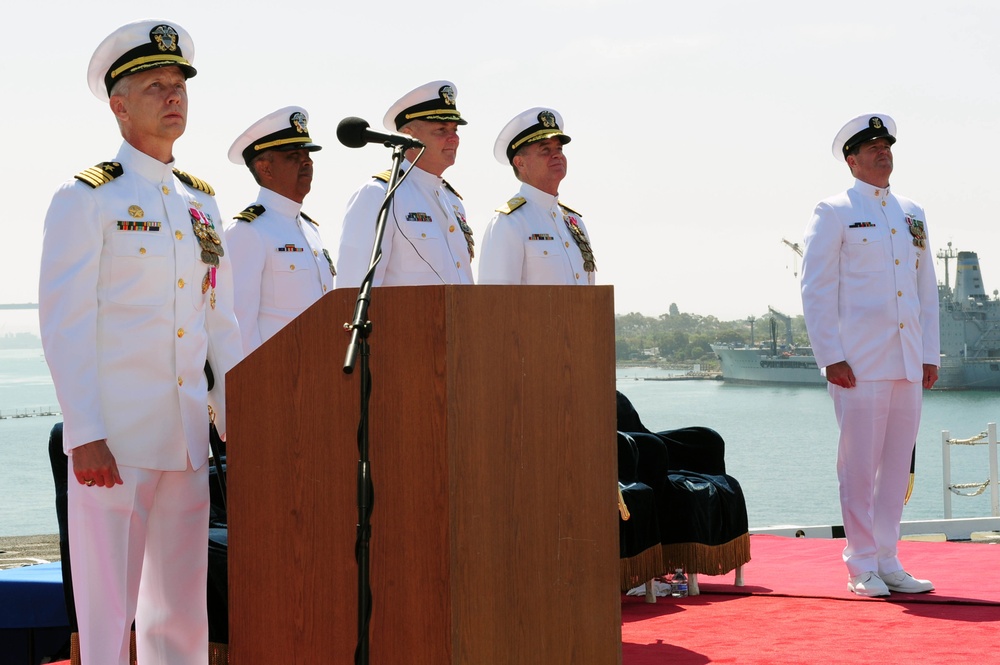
{"x": 769, "y": 629}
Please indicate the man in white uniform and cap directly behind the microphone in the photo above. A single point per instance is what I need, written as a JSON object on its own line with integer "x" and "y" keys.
{"x": 427, "y": 239}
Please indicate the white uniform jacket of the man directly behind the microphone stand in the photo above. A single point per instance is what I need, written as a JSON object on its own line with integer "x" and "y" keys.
{"x": 427, "y": 240}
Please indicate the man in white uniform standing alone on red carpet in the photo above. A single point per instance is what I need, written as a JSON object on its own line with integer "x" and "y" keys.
{"x": 871, "y": 308}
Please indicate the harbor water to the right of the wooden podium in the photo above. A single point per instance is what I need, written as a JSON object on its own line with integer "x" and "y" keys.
{"x": 781, "y": 443}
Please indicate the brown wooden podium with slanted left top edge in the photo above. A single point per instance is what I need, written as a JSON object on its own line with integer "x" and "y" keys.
{"x": 494, "y": 526}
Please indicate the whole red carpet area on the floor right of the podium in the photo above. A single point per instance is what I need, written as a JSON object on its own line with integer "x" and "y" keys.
{"x": 799, "y": 611}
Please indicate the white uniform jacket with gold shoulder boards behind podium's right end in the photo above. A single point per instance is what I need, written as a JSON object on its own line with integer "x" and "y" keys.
{"x": 529, "y": 242}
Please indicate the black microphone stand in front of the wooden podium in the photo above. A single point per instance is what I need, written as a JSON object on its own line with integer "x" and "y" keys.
{"x": 360, "y": 329}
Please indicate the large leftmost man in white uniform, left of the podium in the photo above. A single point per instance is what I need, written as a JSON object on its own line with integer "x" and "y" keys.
{"x": 135, "y": 295}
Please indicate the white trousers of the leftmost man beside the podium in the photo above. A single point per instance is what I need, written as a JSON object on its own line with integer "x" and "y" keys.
{"x": 140, "y": 551}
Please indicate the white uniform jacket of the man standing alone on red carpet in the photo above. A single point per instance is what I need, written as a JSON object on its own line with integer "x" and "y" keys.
{"x": 869, "y": 293}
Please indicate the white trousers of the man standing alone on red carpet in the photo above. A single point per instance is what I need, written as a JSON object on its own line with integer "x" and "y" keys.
{"x": 878, "y": 429}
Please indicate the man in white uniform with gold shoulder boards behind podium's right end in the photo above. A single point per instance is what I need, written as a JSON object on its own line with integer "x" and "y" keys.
{"x": 534, "y": 238}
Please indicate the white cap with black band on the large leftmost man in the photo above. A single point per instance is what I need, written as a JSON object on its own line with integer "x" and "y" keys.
{"x": 137, "y": 47}
